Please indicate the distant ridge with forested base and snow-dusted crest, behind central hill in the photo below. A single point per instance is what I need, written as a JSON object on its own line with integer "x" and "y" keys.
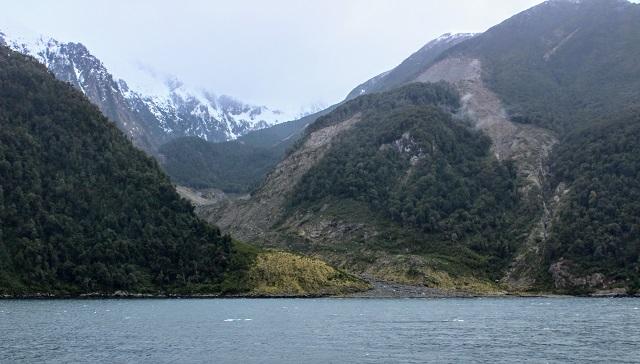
{"x": 247, "y": 160}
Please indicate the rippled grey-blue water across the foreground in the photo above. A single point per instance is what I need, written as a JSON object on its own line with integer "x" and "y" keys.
{"x": 537, "y": 330}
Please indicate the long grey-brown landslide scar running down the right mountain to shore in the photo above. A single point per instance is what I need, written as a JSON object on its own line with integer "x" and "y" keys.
{"x": 529, "y": 146}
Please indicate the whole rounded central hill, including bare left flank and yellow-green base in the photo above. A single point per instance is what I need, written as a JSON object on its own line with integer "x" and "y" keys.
{"x": 390, "y": 185}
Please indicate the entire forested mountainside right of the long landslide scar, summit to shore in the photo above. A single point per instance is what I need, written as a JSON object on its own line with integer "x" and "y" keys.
{"x": 567, "y": 66}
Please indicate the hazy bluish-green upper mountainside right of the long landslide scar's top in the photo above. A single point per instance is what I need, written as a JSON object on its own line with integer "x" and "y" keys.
{"x": 560, "y": 64}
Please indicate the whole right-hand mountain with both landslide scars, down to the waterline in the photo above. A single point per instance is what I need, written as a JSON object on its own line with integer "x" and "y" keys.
{"x": 529, "y": 182}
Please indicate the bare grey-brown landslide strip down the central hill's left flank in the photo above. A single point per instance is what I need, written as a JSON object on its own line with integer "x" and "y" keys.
{"x": 251, "y": 219}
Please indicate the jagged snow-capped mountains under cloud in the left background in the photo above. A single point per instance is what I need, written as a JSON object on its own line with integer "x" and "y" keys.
{"x": 151, "y": 112}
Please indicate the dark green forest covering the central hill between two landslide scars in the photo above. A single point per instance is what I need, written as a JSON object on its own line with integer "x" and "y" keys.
{"x": 411, "y": 162}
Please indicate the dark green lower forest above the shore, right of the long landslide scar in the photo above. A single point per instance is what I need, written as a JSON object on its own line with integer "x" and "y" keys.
{"x": 599, "y": 228}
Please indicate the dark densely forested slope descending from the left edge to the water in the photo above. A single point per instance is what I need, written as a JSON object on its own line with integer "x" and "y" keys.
{"x": 82, "y": 210}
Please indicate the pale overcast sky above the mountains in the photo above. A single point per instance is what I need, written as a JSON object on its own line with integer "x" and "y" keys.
{"x": 285, "y": 54}
